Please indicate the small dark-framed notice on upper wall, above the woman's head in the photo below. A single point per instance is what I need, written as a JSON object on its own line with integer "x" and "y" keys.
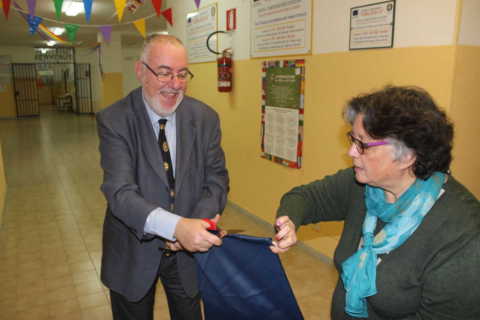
{"x": 372, "y": 26}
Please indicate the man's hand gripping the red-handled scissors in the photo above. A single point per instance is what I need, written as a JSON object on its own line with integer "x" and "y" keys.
{"x": 192, "y": 234}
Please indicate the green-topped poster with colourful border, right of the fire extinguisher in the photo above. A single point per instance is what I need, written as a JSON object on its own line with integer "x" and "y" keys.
{"x": 282, "y": 111}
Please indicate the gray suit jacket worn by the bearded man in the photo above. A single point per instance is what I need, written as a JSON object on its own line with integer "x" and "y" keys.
{"x": 135, "y": 183}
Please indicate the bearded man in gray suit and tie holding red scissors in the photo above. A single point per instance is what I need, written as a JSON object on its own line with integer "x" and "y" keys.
{"x": 164, "y": 172}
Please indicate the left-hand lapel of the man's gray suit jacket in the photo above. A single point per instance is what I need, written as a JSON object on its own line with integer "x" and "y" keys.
{"x": 147, "y": 136}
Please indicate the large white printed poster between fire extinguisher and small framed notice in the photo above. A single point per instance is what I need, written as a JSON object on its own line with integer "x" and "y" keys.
{"x": 280, "y": 27}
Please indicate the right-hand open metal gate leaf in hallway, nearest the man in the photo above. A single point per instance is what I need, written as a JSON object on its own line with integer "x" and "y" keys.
{"x": 83, "y": 89}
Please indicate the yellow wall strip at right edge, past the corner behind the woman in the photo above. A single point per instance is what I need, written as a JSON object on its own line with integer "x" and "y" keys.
{"x": 465, "y": 113}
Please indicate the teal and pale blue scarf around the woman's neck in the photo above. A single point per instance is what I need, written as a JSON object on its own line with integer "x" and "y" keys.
{"x": 402, "y": 218}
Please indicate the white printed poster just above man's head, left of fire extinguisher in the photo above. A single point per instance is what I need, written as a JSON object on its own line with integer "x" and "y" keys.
{"x": 199, "y": 25}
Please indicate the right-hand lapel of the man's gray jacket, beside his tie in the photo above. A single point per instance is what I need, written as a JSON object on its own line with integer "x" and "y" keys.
{"x": 185, "y": 141}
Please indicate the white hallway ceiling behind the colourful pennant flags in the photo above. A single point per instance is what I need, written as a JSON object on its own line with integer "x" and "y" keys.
{"x": 14, "y": 31}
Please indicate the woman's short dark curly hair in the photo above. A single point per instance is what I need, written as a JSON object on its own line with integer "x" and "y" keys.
{"x": 408, "y": 115}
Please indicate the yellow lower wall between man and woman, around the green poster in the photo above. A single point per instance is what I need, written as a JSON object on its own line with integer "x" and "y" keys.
{"x": 330, "y": 80}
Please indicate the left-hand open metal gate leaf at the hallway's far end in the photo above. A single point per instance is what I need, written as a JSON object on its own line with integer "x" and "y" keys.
{"x": 25, "y": 86}
